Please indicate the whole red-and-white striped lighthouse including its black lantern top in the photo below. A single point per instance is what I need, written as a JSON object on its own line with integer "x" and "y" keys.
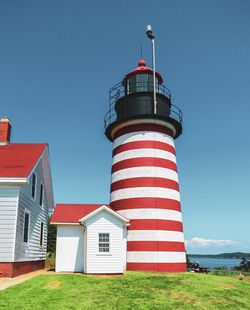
{"x": 142, "y": 123}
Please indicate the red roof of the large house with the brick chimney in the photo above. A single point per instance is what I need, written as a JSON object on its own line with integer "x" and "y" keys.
{"x": 17, "y": 160}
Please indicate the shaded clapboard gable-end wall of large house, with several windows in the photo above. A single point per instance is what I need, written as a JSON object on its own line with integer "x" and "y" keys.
{"x": 32, "y": 250}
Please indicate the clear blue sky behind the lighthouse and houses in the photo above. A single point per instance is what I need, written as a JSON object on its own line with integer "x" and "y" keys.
{"x": 59, "y": 58}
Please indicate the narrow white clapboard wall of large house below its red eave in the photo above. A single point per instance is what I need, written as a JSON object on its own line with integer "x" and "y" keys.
{"x": 8, "y": 211}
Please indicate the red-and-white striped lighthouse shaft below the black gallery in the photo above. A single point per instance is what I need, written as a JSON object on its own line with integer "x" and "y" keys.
{"x": 145, "y": 189}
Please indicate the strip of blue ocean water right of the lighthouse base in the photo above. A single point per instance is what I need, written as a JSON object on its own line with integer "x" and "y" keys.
{"x": 213, "y": 263}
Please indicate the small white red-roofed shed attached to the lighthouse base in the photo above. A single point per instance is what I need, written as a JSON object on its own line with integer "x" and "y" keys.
{"x": 90, "y": 239}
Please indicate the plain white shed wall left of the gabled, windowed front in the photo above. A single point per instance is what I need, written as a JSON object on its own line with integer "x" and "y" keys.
{"x": 70, "y": 249}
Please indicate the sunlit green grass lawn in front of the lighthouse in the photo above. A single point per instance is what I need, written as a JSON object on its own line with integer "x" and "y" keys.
{"x": 134, "y": 290}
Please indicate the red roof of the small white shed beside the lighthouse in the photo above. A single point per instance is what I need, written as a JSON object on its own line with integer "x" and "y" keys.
{"x": 72, "y": 213}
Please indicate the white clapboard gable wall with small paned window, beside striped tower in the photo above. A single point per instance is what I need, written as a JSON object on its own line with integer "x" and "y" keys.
{"x": 112, "y": 262}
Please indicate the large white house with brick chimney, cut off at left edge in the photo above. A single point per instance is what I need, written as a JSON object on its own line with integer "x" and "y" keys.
{"x": 26, "y": 197}
